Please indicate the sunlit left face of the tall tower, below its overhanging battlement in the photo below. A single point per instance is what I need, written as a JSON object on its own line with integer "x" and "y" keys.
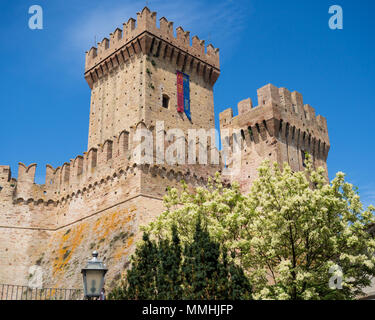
{"x": 117, "y": 100}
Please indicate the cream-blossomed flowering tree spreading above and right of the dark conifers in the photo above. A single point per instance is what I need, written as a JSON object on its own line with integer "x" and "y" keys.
{"x": 294, "y": 233}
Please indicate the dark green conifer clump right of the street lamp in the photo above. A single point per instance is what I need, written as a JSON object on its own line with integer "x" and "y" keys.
{"x": 200, "y": 271}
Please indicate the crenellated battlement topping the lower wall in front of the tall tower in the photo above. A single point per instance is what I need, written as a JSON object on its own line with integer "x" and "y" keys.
{"x": 108, "y": 160}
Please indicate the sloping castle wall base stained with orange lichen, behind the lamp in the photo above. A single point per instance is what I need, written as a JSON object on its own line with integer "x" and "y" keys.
{"x": 112, "y": 232}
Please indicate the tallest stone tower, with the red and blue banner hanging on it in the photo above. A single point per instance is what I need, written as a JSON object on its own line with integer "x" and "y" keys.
{"x": 133, "y": 78}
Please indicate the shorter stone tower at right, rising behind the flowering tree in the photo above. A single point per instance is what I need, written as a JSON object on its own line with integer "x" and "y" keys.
{"x": 281, "y": 128}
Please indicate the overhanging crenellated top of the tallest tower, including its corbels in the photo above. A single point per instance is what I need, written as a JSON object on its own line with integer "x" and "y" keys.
{"x": 142, "y": 35}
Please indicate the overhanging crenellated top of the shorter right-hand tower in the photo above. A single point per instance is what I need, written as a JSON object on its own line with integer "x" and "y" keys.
{"x": 280, "y": 114}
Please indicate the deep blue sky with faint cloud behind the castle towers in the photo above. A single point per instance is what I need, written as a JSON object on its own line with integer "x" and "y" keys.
{"x": 45, "y": 99}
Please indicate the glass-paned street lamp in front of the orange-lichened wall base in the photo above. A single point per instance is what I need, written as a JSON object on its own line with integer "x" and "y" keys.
{"x": 93, "y": 277}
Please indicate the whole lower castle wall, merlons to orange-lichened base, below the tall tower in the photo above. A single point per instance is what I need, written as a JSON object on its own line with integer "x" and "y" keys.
{"x": 96, "y": 201}
